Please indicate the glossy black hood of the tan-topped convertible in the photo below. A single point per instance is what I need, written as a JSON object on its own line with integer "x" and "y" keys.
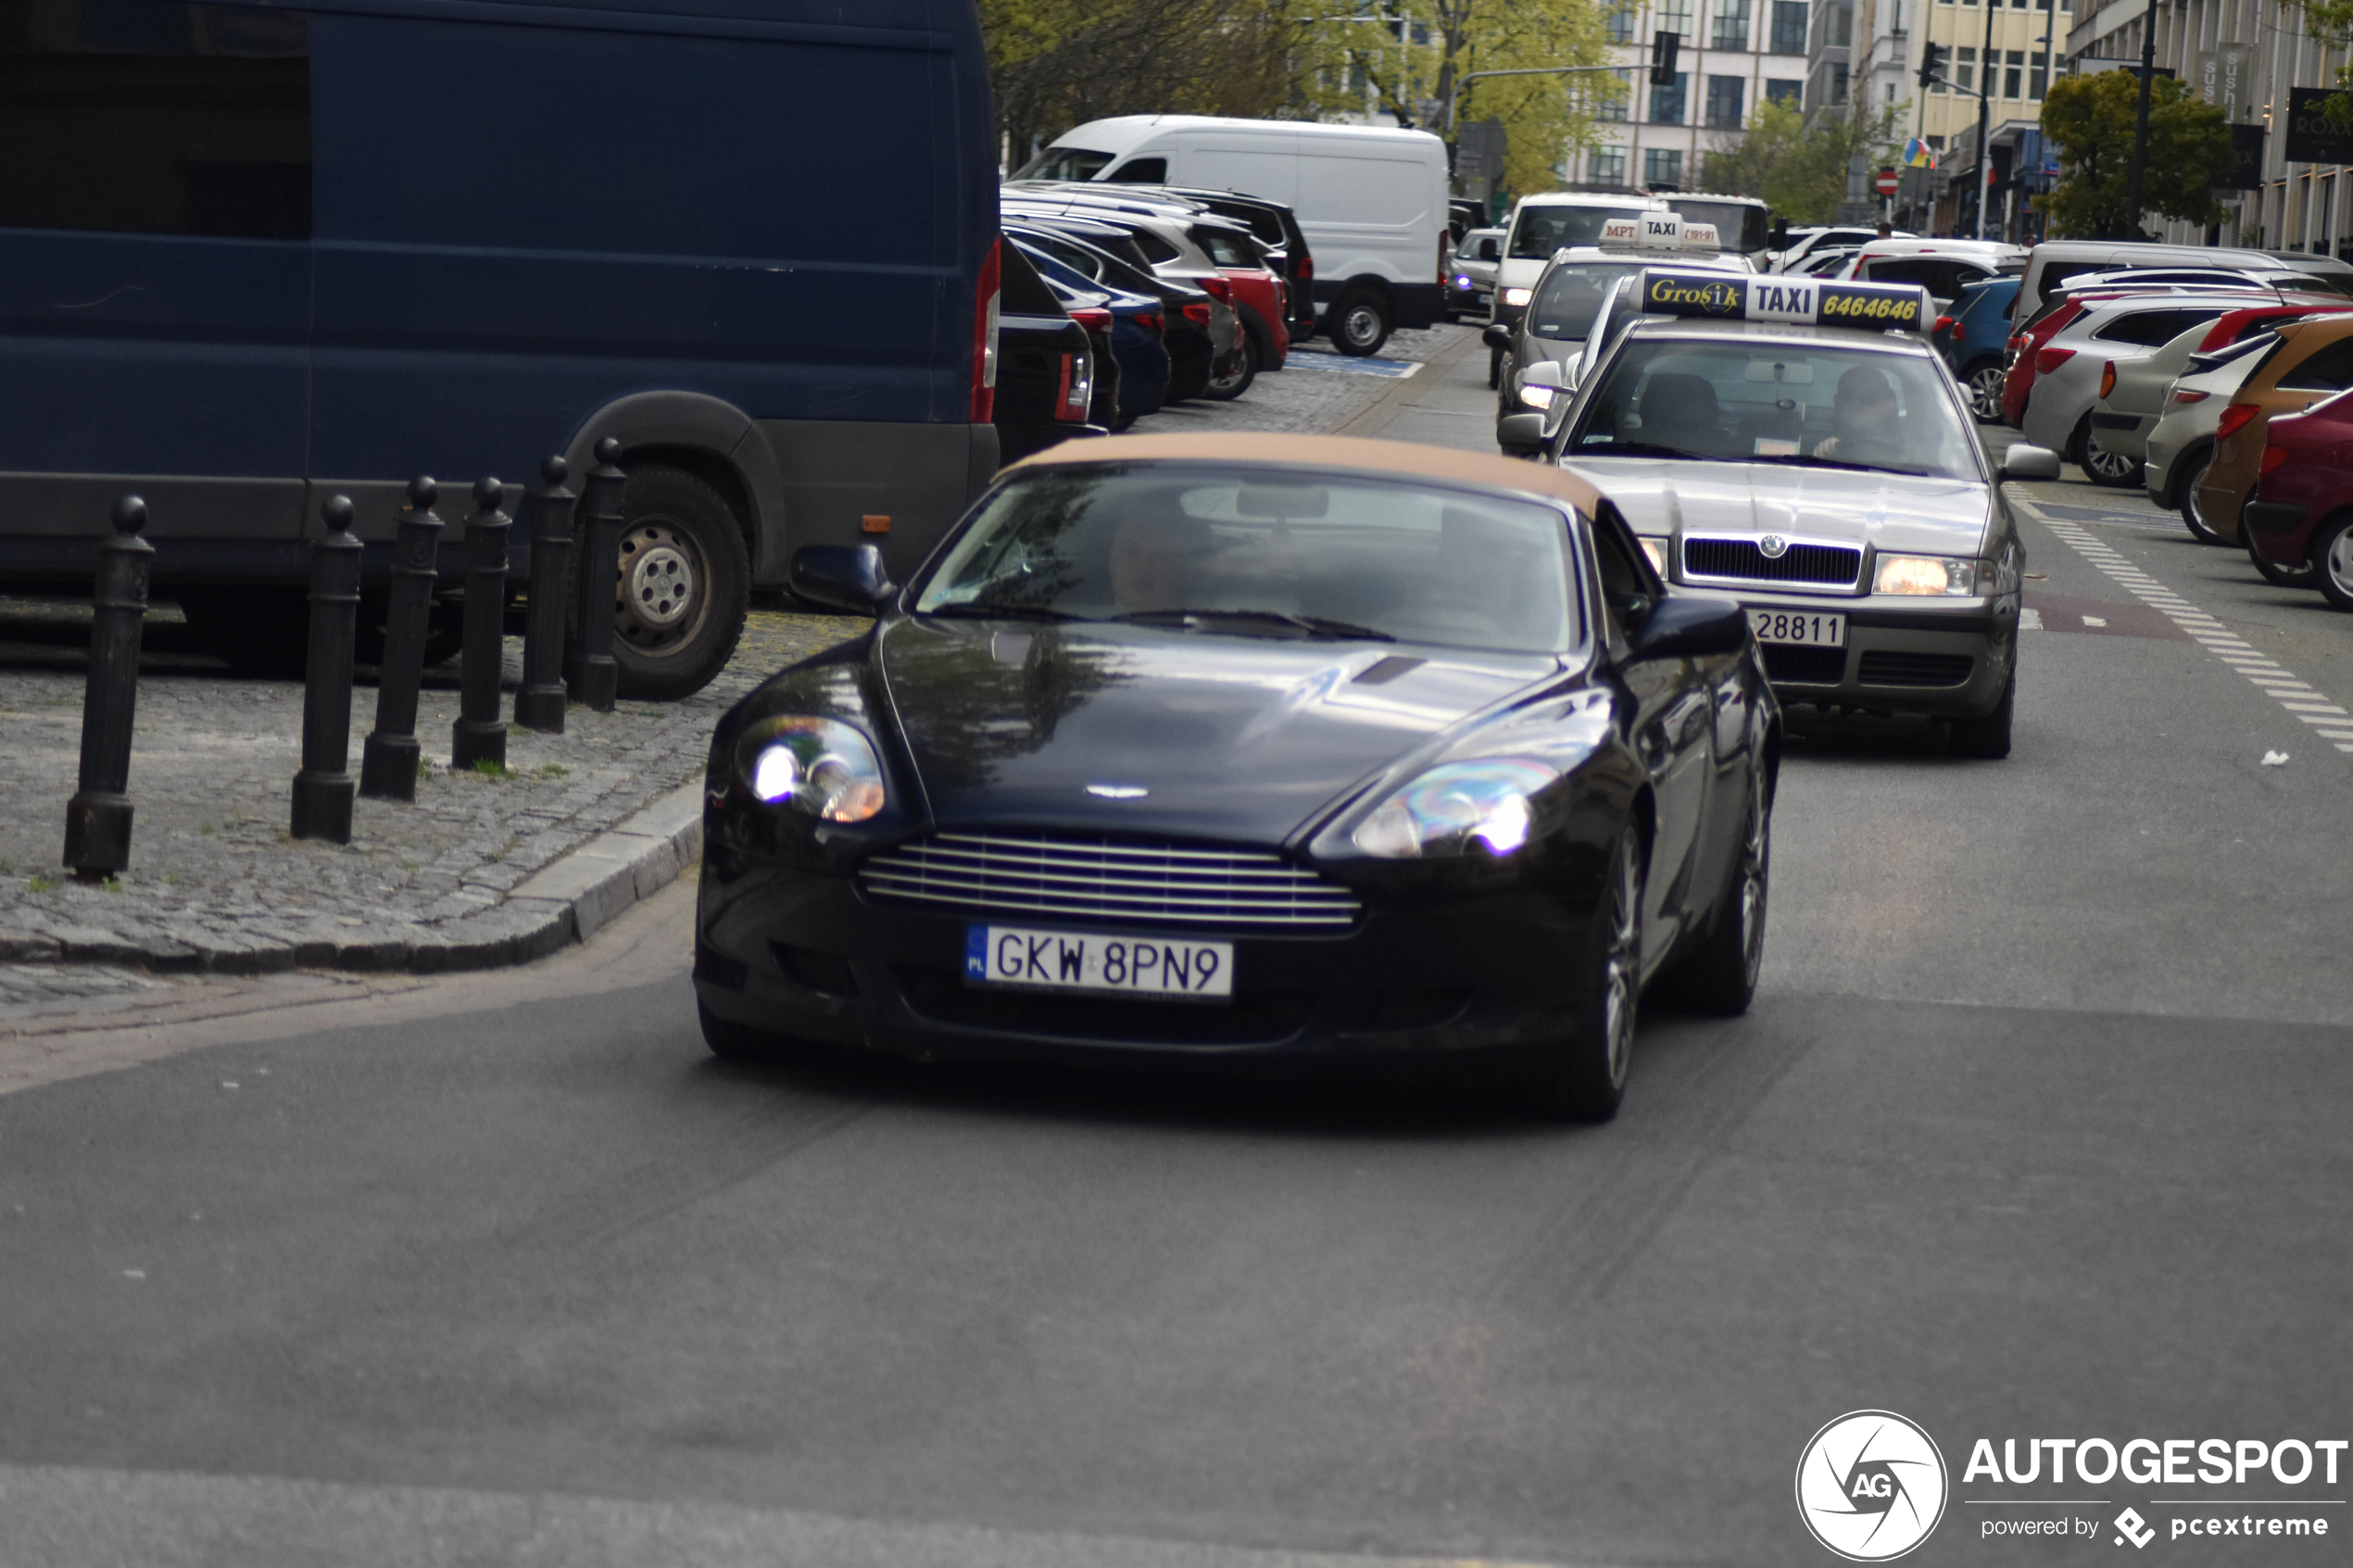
{"x": 1225, "y": 737}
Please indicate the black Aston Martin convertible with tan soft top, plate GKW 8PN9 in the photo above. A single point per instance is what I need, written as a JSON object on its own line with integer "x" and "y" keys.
{"x": 1248, "y": 746}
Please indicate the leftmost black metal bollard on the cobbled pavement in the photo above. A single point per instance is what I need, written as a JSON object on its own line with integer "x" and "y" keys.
{"x": 100, "y": 815}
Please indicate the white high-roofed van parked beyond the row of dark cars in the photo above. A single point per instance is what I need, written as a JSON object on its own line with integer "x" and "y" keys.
{"x": 1371, "y": 201}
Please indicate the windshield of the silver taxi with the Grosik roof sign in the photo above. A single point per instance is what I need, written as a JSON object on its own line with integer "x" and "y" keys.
{"x": 1778, "y": 403}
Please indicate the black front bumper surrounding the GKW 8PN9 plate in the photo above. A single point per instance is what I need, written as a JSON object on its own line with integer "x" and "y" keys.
{"x": 806, "y": 953}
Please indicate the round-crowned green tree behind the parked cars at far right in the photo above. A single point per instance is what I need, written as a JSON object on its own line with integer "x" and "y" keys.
{"x": 2091, "y": 121}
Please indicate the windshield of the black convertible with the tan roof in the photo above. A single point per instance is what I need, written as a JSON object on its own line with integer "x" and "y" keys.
{"x": 1265, "y": 554}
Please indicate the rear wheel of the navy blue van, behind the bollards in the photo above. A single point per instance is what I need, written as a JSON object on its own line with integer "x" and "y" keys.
{"x": 684, "y": 589}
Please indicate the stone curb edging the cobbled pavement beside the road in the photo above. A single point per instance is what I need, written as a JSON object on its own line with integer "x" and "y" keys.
{"x": 564, "y": 904}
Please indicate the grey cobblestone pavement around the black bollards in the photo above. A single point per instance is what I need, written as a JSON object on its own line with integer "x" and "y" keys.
{"x": 215, "y": 880}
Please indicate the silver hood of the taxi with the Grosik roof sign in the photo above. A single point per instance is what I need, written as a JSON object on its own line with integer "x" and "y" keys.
{"x": 1879, "y": 509}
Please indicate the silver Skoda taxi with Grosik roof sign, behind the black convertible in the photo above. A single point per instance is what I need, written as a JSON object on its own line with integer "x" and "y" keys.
{"x": 1801, "y": 445}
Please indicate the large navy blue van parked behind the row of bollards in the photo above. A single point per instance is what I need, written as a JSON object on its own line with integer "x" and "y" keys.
{"x": 255, "y": 253}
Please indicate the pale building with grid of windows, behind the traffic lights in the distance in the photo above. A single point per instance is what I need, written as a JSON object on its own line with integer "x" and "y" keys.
{"x": 1733, "y": 58}
